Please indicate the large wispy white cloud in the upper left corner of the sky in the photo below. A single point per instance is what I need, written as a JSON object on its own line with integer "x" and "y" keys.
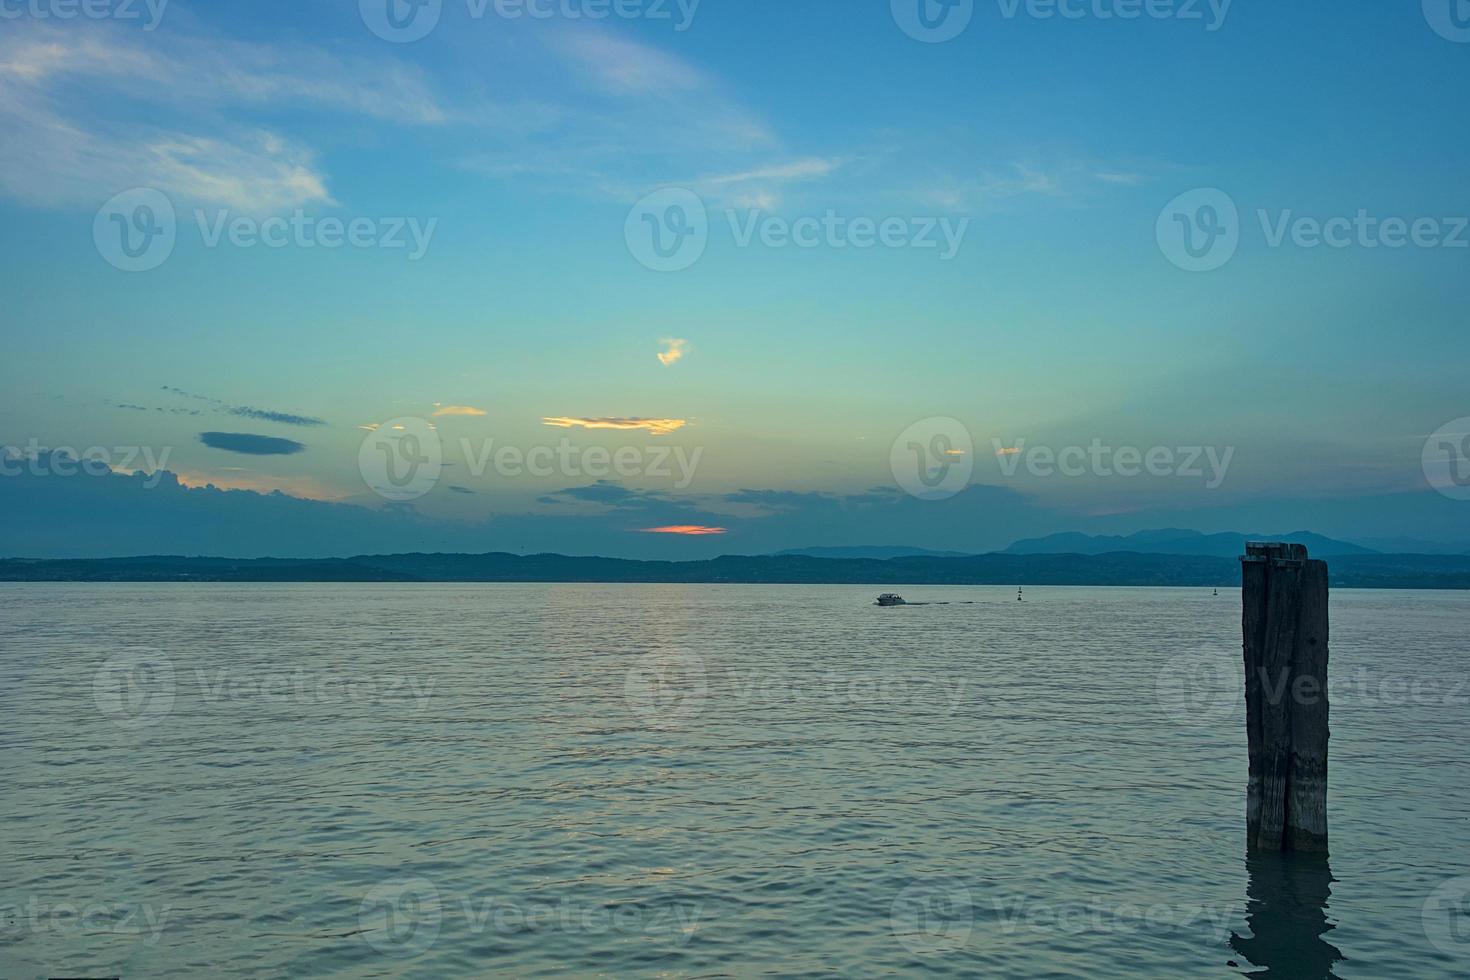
{"x": 70, "y": 104}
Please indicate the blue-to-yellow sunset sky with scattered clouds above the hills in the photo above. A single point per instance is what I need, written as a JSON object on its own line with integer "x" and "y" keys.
{"x": 665, "y": 280}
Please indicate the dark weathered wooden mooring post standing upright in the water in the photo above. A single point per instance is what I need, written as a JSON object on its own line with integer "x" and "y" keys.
{"x": 1284, "y": 624}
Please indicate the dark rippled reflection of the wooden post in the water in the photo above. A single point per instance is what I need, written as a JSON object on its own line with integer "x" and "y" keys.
{"x": 1287, "y": 912}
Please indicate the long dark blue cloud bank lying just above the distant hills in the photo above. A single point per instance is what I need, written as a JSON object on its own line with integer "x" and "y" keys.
{"x": 114, "y": 515}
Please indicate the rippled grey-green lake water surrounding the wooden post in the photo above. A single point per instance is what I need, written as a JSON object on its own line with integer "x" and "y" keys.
{"x": 308, "y": 781}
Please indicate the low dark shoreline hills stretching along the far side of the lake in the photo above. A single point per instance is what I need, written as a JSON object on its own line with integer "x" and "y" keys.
{"x": 1124, "y": 568}
